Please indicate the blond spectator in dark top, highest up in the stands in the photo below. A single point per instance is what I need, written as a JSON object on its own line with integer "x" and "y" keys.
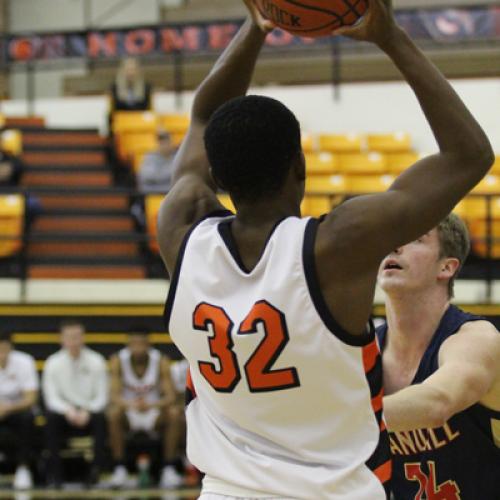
{"x": 129, "y": 91}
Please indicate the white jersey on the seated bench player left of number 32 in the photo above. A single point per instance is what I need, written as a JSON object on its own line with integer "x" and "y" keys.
{"x": 147, "y": 386}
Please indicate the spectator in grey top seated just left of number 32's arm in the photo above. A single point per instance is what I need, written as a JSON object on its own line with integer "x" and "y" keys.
{"x": 155, "y": 173}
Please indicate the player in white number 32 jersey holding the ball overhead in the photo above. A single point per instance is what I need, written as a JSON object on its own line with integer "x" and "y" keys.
{"x": 271, "y": 310}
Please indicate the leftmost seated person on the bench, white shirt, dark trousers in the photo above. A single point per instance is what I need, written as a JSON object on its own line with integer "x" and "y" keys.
{"x": 18, "y": 396}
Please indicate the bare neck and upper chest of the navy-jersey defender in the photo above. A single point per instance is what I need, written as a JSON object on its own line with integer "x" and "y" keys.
{"x": 412, "y": 320}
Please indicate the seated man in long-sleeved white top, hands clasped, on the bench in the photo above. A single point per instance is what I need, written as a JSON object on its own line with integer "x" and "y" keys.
{"x": 75, "y": 390}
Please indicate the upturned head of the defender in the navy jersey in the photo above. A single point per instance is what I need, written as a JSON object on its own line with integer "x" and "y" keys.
{"x": 435, "y": 259}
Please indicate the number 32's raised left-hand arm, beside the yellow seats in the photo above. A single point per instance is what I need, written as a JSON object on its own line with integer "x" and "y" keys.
{"x": 193, "y": 193}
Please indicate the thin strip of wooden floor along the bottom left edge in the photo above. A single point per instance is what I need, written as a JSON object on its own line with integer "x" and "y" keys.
{"x": 184, "y": 494}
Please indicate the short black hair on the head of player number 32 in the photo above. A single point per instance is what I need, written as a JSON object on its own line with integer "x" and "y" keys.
{"x": 251, "y": 143}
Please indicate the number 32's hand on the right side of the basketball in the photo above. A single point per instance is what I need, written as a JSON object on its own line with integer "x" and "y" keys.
{"x": 378, "y": 24}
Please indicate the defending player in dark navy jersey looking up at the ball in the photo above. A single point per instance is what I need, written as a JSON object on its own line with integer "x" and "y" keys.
{"x": 441, "y": 374}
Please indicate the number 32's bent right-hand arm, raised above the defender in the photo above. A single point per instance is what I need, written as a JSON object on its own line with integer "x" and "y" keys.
{"x": 355, "y": 237}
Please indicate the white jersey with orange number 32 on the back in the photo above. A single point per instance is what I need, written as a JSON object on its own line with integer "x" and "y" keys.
{"x": 285, "y": 403}
